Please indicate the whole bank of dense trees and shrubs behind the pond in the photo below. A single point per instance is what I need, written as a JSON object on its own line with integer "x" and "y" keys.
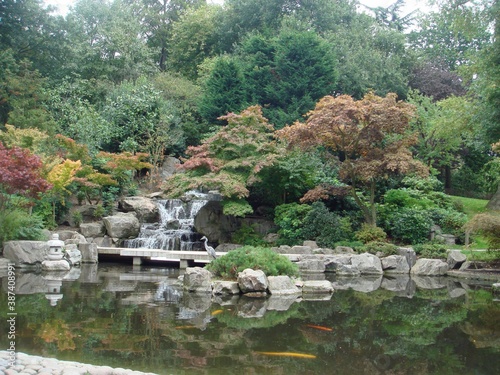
{"x": 90, "y": 100}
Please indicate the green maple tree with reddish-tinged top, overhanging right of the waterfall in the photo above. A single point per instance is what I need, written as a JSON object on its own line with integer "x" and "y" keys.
{"x": 230, "y": 161}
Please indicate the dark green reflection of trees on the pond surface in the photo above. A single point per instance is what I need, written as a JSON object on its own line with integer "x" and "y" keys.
{"x": 370, "y": 332}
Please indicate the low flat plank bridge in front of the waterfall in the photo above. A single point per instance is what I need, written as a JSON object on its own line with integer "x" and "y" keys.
{"x": 185, "y": 258}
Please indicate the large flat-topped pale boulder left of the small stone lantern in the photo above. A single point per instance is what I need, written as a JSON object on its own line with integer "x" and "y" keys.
{"x": 26, "y": 253}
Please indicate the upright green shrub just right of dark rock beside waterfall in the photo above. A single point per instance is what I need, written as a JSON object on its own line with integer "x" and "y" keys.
{"x": 290, "y": 220}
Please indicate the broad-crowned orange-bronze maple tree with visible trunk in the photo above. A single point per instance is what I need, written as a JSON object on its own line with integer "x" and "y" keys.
{"x": 369, "y": 137}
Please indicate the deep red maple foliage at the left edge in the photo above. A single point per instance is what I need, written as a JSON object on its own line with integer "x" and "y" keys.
{"x": 20, "y": 172}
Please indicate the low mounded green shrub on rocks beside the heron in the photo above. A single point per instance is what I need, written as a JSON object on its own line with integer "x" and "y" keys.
{"x": 257, "y": 258}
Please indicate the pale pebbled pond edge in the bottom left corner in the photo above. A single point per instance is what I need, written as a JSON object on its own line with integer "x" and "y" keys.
{"x": 32, "y": 364}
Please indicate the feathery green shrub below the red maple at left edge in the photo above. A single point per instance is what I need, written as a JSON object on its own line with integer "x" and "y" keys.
{"x": 19, "y": 225}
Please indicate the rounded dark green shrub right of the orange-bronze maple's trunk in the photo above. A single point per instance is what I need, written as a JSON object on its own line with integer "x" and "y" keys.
{"x": 410, "y": 225}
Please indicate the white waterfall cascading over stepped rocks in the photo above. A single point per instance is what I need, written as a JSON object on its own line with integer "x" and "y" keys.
{"x": 175, "y": 231}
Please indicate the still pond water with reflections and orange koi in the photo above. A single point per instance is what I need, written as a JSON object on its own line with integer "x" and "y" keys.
{"x": 139, "y": 318}
